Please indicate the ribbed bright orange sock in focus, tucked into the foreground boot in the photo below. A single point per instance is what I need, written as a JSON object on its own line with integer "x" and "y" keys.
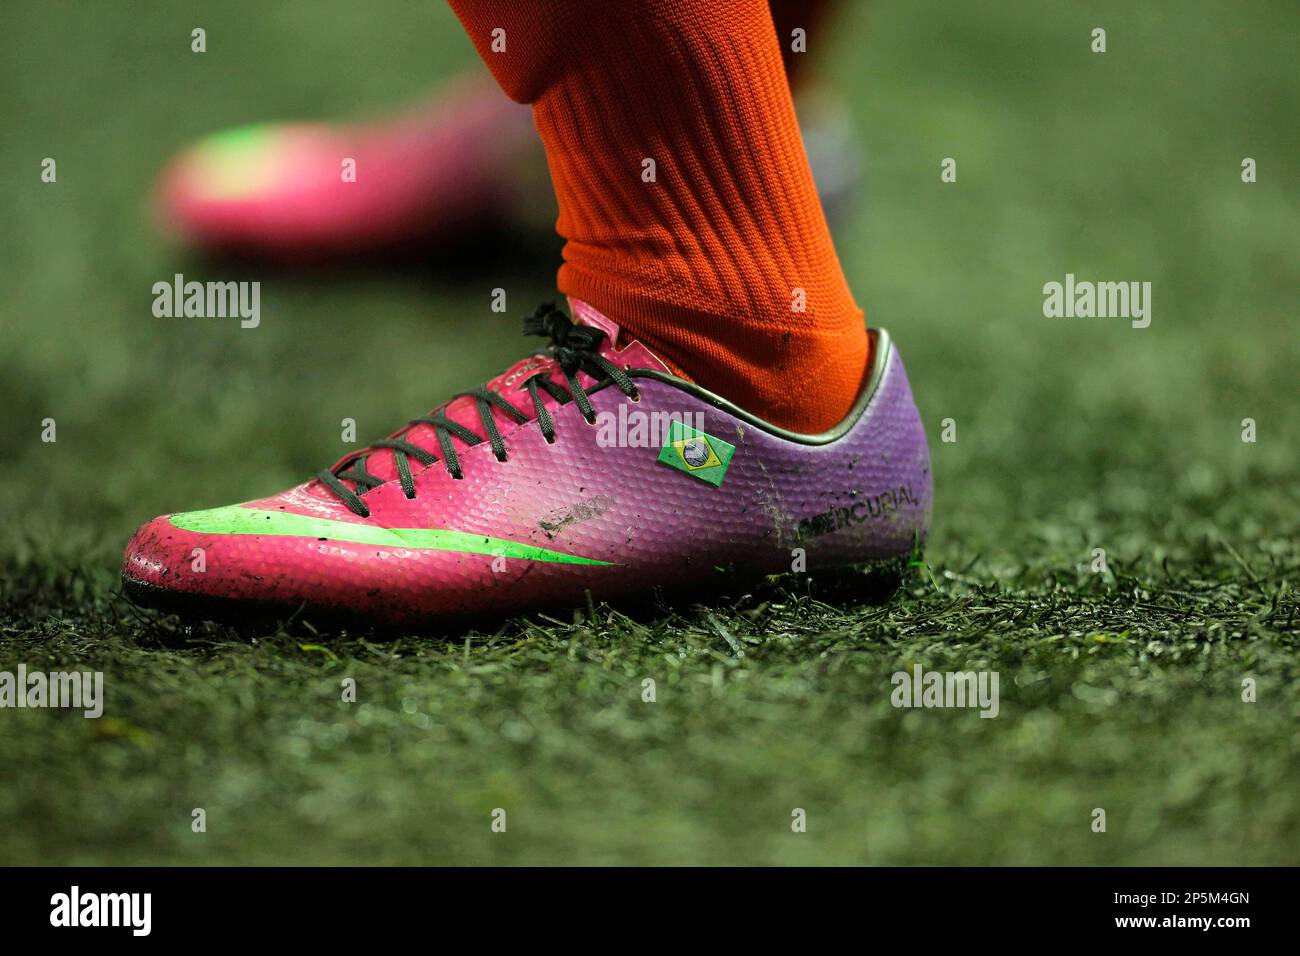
{"x": 684, "y": 192}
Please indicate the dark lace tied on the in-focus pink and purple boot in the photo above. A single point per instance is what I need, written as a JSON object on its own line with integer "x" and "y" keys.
{"x": 575, "y": 349}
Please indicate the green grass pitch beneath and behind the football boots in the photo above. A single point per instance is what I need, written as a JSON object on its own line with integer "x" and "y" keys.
{"x": 1120, "y": 691}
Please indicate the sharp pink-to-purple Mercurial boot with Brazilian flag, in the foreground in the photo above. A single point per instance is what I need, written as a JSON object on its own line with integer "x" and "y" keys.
{"x": 588, "y": 468}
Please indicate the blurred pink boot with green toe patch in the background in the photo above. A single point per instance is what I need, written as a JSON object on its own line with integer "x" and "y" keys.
{"x": 313, "y": 192}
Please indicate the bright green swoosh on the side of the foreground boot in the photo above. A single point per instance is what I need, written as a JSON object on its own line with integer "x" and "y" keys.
{"x": 235, "y": 520}
